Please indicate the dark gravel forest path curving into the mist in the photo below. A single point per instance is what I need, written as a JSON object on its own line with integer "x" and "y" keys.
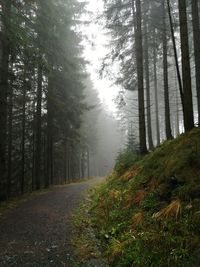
{"x": 37, "y": 233}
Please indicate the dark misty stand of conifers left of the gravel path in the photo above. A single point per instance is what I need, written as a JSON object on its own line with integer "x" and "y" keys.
{"x": 41, "y": 95}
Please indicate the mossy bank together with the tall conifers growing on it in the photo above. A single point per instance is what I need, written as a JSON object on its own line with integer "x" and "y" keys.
{"x": 147, "y": 210}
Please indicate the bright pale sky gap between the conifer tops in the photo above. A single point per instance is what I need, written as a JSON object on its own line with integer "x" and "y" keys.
{"x": 95, "y": 50}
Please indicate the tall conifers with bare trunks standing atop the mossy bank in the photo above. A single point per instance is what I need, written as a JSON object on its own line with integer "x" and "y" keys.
{"x": 156, "y": 44}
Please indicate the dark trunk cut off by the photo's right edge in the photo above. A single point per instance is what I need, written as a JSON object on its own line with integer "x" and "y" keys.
{"x": 196, "y": 36}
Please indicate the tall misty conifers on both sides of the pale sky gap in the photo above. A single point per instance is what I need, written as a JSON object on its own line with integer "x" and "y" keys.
{"x": 45, "y": 110}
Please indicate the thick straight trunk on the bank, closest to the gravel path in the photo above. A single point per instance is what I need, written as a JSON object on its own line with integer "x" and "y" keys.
{"x": 139, "y": 63}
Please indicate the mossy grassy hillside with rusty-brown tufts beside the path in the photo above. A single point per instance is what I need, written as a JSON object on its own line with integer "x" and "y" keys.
{"x": 149, "y": 214}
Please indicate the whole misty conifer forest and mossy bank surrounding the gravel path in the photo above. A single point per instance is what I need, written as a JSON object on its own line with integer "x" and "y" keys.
{"x": 55, "y": 129}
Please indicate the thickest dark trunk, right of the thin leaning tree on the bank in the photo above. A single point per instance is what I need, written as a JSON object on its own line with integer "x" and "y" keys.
{"x": 186, "y": 71}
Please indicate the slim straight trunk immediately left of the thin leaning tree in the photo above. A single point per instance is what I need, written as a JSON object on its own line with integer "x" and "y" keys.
{"x": 165, "y": 75}
